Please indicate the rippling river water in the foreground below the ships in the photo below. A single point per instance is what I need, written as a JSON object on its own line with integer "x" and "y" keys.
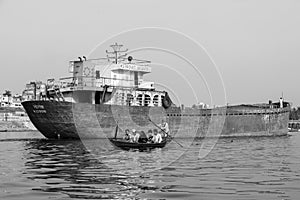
{"x": 236, "y": 168}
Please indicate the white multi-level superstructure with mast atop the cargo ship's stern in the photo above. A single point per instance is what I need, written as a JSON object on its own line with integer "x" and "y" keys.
{"x": 114, "y": 81}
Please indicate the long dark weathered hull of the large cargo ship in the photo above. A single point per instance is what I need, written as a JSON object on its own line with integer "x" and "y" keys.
{"x": 67, "y": 120}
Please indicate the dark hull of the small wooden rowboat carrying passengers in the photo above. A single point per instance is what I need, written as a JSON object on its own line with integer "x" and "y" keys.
{"x": 124, "y": 144}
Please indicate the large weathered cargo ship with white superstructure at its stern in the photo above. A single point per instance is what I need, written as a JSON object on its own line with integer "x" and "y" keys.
{"x": 111, "y": 92}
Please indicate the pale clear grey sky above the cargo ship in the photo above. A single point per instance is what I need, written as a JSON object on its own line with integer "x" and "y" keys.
{"x": 251, "y": 47}
